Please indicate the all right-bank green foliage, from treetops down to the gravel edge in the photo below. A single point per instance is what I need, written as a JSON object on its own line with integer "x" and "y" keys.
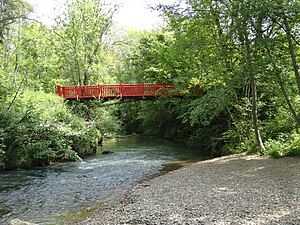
{"x": 243, "y": 57}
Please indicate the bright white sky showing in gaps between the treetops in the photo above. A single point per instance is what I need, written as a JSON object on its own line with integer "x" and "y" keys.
{"x": 132, "y": 13}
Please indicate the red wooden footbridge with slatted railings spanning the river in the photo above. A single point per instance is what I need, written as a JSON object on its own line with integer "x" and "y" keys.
{"x": 116, "y": 91}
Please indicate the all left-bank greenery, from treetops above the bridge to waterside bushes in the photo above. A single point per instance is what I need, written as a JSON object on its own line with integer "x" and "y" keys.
{"x": 38, "y": 128}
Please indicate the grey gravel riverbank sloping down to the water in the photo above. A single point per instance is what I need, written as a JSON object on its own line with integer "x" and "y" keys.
{"x": 236, "y": 189}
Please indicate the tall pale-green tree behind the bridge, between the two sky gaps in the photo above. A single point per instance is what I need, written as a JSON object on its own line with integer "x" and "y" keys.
{"x": 82, "y": 33}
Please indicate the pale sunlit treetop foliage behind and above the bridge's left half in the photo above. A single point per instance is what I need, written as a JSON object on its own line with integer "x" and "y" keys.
{"x": 73, "y": 51}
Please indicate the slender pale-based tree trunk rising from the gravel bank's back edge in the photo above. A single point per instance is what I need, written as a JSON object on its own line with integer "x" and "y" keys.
{"x": 254, "y": 97}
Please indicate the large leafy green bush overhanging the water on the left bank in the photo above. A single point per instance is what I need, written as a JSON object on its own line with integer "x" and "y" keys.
{"x": 40, "y": 129}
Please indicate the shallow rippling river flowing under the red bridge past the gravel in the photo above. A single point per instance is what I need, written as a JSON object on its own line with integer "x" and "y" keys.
{"x": 46, "y": 195}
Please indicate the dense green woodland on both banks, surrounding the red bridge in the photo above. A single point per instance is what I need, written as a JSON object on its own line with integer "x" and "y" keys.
{"x": 237, "y": 63}
